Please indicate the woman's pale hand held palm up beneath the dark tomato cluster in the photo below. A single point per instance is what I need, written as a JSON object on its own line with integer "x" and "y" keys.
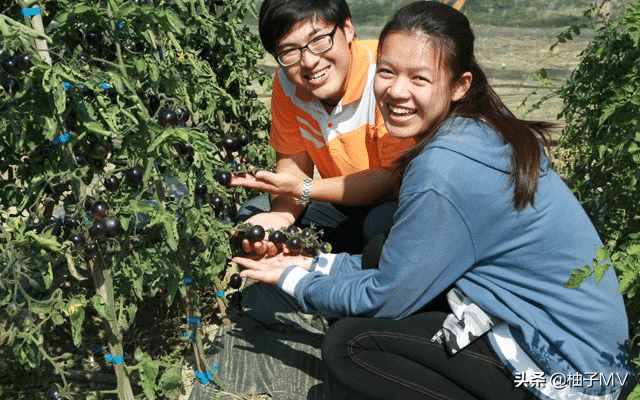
{"x": 269, "y": 270}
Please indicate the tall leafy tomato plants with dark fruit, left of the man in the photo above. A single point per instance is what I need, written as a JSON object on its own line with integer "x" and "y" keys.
{"x": 94, "y": 113}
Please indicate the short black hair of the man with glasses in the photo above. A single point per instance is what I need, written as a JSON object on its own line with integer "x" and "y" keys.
{"x": 277, "y": 17}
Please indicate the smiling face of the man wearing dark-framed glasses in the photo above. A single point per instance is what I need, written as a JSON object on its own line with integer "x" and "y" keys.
{"x": 321, "y": 75}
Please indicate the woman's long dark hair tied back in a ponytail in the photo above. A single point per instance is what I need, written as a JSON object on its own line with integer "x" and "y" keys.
{"x": 449, "y": 31}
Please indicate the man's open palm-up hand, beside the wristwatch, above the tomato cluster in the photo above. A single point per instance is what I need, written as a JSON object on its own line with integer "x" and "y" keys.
{"x": 282, "y": 183}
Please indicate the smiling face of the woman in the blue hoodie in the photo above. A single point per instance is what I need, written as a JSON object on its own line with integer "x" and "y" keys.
{"x": 412, "y": 87}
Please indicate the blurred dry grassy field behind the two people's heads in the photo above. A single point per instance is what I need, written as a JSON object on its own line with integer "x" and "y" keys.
{"x": 513, "y": 42}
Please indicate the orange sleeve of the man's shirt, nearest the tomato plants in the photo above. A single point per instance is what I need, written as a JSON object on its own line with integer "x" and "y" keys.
{"x": 284, "y": 136}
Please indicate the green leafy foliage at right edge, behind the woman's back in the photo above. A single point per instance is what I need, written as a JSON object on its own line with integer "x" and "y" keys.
{"x": 600, "y": 149}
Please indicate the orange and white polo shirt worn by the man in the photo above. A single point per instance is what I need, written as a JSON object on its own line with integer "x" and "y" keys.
{"x": 350, "y": 138}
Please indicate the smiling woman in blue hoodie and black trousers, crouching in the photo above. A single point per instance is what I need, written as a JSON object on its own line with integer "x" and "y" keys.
{"x": 480, "y": 209}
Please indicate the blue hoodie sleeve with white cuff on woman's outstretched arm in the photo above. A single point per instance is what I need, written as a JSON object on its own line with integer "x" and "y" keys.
{"x": 428, "y": 249}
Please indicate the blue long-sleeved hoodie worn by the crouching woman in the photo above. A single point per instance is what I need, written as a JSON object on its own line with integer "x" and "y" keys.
{"x": 456, "y": 224}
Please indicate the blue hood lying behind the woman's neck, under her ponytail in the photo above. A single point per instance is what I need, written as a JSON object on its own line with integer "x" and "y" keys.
{"x": 478, "y": 141}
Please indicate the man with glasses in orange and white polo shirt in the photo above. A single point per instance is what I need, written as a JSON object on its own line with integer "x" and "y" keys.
{"x": 323, "y": 115}
